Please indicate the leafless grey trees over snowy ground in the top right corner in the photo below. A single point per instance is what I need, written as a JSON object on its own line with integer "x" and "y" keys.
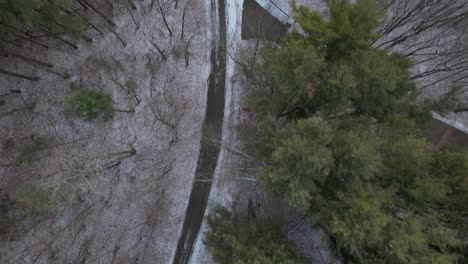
{"x": 428, "y": 32}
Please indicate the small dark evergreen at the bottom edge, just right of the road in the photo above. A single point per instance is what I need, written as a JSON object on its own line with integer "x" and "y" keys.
{"x": 236, "y": 240}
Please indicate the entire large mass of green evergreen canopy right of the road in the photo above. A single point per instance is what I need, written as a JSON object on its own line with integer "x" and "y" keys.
{"x": 351, "y": 153}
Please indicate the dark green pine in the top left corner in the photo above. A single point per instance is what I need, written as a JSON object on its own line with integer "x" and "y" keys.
{"x": 26, "y": 20}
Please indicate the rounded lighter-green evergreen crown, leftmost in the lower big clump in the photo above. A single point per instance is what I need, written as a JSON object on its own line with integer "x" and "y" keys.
{"x": 299, "y": 159}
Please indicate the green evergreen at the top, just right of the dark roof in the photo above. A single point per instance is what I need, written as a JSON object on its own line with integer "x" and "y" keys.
{"x": 332, "y": 68}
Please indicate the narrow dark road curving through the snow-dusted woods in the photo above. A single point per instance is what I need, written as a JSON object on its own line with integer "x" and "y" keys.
{"x": 211, "y": 139}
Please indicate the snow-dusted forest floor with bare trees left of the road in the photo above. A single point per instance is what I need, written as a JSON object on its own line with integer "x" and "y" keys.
{"x": 118, "y": 190}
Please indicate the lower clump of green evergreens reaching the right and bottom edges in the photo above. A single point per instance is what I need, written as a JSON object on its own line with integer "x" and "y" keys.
{"x": 364, "y": 183}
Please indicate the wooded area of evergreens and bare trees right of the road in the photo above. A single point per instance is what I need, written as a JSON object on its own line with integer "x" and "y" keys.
{"x": 342, "y": 140}
